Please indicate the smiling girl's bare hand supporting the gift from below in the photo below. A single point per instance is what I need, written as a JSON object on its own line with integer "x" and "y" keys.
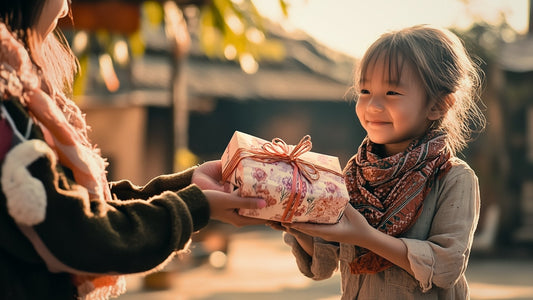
{"x": 351, "y": 228}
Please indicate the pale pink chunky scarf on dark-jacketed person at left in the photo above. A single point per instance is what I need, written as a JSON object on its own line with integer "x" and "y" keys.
{"x": 65, "y": 132}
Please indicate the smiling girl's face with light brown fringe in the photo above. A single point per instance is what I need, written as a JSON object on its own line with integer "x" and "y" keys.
{"x": 393, "y": 112}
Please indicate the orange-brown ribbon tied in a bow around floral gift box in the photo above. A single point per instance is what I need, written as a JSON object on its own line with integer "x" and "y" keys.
{"x": 277, "y": 151}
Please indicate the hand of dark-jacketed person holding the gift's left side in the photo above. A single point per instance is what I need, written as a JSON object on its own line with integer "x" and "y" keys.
{"x": 224, "y": 207}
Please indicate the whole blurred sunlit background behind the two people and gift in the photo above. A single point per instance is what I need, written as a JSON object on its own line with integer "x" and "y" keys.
{"x": 175, "y": 79}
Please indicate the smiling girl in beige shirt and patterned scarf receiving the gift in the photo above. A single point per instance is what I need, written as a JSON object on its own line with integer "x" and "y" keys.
{"x": 414, "y": 205}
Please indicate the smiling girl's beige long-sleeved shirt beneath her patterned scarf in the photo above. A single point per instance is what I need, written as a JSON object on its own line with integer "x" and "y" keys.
{"x": 438, "y": 248}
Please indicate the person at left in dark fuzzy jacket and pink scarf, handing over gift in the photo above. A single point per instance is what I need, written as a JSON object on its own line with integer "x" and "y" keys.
{"x": 65, "y": 233}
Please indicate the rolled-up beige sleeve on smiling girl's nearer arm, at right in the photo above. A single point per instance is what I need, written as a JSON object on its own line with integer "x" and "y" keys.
{"x": 442, "y": 258}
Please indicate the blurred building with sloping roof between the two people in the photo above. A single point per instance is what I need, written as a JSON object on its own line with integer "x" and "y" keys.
{"x": 304, "y": 92}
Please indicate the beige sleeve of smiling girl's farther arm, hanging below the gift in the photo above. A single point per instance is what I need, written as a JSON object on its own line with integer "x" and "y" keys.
{"x": 322, "y": 264}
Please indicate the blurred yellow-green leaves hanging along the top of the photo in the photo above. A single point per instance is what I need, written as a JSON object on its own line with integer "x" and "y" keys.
{"x": 229, "y": 29}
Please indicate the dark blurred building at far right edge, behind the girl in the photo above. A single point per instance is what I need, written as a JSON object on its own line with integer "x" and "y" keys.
{"x": 517, "y": 97}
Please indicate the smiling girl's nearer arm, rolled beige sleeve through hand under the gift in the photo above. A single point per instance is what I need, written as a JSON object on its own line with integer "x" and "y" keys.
{"x": 439, "y": 259}
